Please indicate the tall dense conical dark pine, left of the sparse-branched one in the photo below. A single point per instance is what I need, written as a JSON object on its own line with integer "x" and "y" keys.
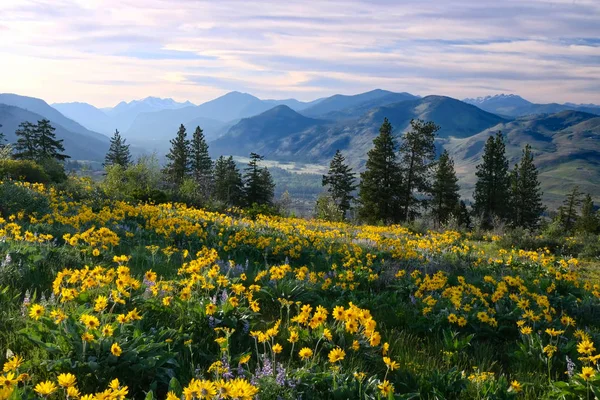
{"x": 380, "y": 182}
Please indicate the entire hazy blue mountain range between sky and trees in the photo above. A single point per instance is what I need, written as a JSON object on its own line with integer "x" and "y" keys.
{"x": 565, "y": 137}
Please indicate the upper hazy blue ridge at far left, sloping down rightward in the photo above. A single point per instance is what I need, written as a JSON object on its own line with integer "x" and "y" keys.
{"x": 42, "y": 108}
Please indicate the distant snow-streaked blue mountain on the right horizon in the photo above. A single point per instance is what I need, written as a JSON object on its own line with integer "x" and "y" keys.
{"x": 515, "y": 106}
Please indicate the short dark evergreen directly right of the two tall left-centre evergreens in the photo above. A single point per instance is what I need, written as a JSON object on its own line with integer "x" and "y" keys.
{"x": 229, "y": 187}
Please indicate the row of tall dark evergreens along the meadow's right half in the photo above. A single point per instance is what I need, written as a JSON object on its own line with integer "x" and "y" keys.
{"x": 401, "y": 182}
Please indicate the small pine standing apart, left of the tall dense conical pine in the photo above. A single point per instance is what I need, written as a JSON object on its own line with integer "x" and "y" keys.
{"x": 340, "y": 180}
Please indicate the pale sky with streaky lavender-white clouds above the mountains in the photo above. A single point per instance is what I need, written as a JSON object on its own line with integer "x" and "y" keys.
{"x": 103, "y": 52}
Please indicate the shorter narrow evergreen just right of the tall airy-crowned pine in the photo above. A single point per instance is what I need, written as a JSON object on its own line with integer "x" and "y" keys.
{"x": 445, "y": 197}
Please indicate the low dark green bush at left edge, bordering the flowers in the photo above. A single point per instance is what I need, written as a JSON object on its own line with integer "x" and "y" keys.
{"x": 14, "y": 199}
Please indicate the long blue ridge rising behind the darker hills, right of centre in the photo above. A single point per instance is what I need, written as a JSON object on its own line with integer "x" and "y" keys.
{"x": 341, "y": 102}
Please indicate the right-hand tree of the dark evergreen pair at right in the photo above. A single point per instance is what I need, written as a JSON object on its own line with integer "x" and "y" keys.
{"x": 525, "y": 201}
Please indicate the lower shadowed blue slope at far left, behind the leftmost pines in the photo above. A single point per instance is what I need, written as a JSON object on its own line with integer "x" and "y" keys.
{"x": 78, "y": 144}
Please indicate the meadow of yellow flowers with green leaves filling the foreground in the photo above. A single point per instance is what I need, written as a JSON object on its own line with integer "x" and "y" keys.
{"x": 103, "y": 299}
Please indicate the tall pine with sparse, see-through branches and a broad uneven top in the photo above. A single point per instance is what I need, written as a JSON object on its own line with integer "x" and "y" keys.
{"x": 417, "y": 153}
